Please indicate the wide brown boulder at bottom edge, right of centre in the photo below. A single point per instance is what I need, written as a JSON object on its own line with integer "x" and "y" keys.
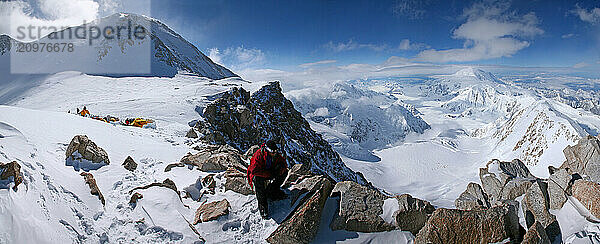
{"x": 493, "y": 225}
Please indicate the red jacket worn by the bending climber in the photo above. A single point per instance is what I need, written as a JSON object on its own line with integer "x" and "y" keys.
{"x": 258, "y": 165}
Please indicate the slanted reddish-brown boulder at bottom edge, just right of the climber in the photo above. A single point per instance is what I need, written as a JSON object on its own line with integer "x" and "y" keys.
{"x": 302, "y": 225}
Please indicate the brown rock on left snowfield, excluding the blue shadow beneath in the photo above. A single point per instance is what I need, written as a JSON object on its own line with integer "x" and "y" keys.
{"x": 87, "y": 149}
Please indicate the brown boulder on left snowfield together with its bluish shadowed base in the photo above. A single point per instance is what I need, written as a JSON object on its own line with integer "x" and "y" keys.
{"x": 83, "y": 153}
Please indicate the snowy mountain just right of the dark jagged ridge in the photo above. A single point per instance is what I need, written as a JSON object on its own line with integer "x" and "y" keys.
{"x": 356, "y": 121}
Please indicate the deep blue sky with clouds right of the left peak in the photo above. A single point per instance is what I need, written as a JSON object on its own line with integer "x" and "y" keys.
{"x": 285, "y": 34}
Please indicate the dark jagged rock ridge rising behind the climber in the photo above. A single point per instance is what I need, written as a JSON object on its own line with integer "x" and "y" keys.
{"x": 243, "y": 120}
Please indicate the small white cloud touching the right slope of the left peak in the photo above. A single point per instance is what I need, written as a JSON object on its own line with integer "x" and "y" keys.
{"x": 238, "y": 58}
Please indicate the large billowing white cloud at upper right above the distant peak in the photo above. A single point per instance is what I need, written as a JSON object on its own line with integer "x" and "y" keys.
{"x": 491, "y": 31}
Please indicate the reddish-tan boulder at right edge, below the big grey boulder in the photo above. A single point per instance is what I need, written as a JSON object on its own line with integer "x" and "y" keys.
{"x": 588, "y": 194}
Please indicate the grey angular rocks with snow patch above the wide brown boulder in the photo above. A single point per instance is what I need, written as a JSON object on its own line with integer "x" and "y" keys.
{"x": 505, "y": 180}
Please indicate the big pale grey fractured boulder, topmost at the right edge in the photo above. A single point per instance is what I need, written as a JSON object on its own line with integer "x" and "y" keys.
{"x": 584, "y": 158}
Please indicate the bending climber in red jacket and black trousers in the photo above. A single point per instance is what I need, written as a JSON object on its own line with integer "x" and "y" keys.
{"x": 267, "y": 171}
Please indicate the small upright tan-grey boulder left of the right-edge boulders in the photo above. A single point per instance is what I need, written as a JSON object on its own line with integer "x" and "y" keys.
{"x": 559, "y": 184}
